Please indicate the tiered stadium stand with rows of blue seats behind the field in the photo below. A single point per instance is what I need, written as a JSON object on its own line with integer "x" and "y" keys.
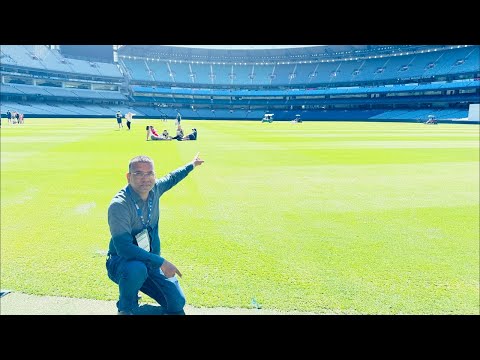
{"x": 341, "y": 82}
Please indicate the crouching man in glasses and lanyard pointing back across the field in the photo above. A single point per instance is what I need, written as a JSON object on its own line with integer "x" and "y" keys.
{"x": 134, "y": 261}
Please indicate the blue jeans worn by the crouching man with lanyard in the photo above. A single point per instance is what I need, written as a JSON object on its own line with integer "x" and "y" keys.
{"x": 132, "y": 276}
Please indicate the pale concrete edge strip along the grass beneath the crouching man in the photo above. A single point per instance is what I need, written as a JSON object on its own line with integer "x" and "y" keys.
{"x": 14, "y": 303}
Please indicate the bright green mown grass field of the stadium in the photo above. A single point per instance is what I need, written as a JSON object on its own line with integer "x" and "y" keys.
{"x": 325, "y": 217}
